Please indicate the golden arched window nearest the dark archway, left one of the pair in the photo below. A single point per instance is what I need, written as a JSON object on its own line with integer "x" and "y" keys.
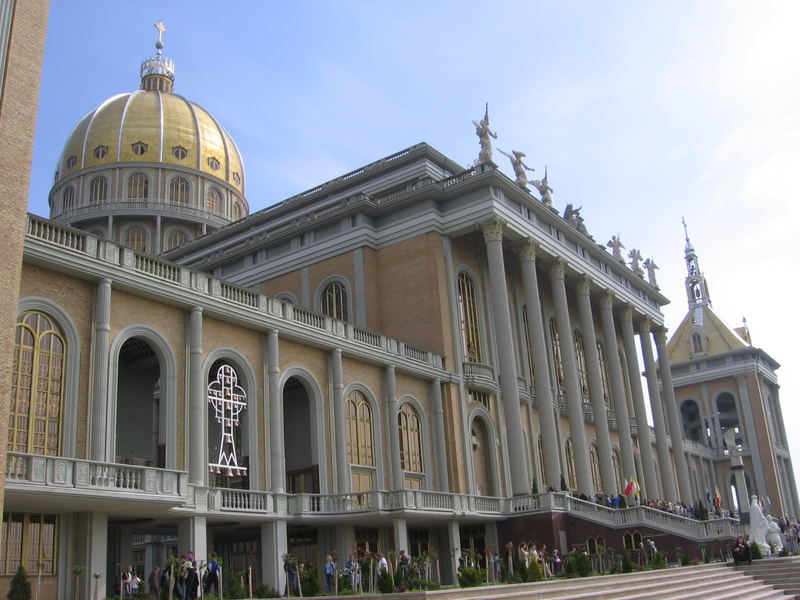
{"x": 360, "y": 447}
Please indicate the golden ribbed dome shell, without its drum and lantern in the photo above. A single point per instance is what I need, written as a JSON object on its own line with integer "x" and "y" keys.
{"x": 153, "y": 127}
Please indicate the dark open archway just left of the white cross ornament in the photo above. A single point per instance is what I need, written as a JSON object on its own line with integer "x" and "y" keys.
{"x": 140, "y": 418}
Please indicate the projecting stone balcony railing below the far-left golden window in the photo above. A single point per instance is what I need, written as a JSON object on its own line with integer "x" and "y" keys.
{"x": 25, "y": 471}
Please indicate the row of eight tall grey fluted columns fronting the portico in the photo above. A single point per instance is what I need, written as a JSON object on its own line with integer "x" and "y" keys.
{"x": 610, "y": 312}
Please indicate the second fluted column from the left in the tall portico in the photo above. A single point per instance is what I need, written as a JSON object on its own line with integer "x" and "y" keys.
{"x": 541, "y": 370}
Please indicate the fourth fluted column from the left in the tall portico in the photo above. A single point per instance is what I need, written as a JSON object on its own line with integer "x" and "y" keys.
{"x": 596, "y": 388}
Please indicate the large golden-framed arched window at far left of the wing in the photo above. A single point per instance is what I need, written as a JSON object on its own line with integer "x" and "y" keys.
{"x": 37, "y": 386}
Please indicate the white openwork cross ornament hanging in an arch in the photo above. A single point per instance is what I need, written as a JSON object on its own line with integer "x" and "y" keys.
{"x": 228, "y": 399}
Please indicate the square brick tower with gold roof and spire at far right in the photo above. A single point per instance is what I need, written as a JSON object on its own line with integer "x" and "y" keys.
{"x": 724, "y": 385}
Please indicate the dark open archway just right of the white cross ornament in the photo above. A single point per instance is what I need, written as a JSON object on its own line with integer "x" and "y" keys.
{"x": 302, "y": 468}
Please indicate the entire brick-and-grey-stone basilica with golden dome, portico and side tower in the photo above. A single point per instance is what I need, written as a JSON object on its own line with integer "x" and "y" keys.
{"x": 415, "y": 355}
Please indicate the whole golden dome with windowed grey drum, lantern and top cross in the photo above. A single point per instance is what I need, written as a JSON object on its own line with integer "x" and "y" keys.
{"x": 149, "y": 169}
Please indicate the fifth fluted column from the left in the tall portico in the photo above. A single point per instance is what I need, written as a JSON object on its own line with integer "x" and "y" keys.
{"x": 617, "y": 385}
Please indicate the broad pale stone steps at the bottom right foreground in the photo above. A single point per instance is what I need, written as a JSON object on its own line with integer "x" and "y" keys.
{"x": 706, "y": 582}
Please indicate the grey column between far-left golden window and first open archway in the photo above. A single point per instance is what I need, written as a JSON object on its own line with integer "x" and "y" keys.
{"x": 102, "y": 332}
